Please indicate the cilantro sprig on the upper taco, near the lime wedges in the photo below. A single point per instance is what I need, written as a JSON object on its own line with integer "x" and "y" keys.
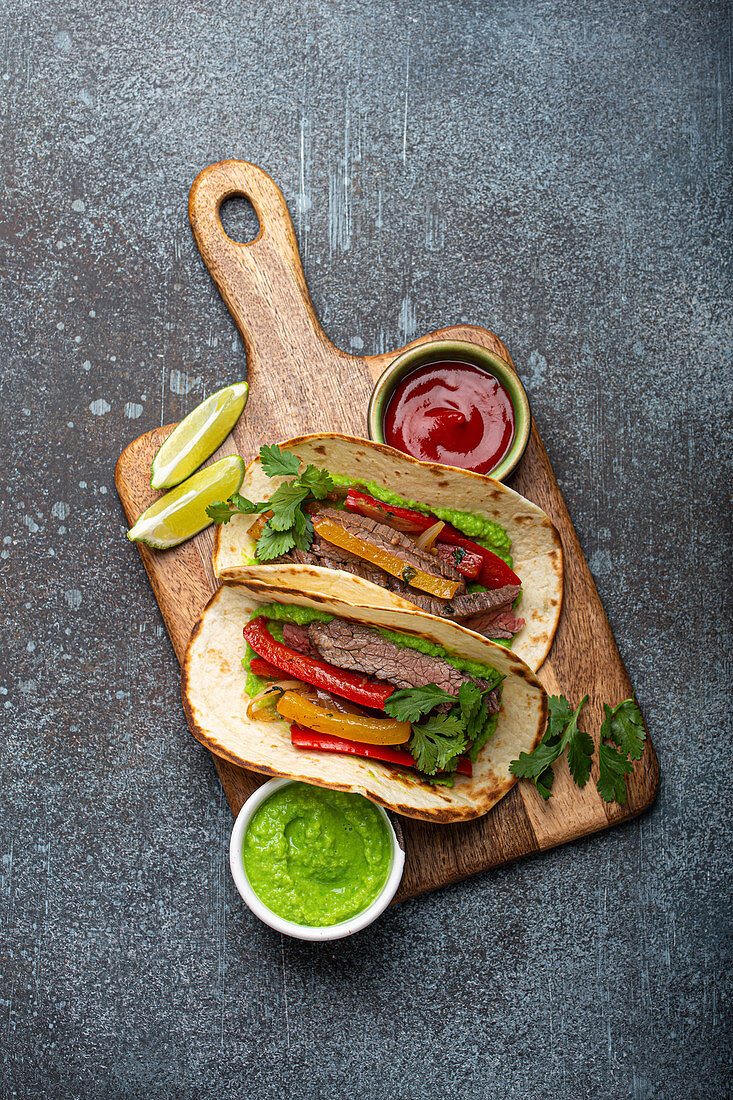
{"x": 289, "y": 526}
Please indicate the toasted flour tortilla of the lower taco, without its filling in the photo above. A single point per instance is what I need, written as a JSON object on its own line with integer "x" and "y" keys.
{"x": 215, "y": 701}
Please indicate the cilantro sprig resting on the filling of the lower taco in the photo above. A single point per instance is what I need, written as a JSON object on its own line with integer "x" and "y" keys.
{"x": 439, "y": 741}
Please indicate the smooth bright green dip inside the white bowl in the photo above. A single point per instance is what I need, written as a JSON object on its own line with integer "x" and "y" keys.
{"x": 315, "y": 856}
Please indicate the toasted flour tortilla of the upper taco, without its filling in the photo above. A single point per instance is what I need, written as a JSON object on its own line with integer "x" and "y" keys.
{"x": 537, "y": 548}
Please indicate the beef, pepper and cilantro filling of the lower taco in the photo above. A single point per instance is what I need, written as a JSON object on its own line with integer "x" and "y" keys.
{"x": 349, "y": 688}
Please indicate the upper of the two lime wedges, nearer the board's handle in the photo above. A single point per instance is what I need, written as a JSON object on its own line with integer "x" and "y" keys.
{"x": 198, "y": 437}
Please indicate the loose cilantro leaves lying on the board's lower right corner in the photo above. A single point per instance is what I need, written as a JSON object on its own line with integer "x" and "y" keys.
{"x": 622, "y": 741}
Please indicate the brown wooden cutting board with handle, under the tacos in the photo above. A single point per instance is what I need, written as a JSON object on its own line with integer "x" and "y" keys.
{"x": 300, "y": 382}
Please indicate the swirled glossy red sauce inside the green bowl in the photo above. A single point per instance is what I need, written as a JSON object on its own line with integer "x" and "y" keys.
{"x": 452, "y": 413}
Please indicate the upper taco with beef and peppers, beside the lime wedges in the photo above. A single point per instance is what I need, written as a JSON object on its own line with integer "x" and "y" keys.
{"x": 367, "y": 523}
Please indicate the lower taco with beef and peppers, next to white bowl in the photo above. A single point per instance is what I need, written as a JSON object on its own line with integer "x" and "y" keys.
{"x": 410, "y": 710}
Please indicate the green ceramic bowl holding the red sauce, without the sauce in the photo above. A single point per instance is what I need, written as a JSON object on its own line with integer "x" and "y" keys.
{"x": 465, "y": 353}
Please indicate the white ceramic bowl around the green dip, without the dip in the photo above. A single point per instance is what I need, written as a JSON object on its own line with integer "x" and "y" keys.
{"x": 290, "y": 928}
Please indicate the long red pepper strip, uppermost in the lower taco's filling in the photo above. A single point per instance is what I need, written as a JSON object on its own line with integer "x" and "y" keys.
{"x": 320, "y": 674}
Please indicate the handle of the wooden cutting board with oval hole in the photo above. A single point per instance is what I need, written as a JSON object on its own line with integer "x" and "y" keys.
{"x": 262, "y": 283}
